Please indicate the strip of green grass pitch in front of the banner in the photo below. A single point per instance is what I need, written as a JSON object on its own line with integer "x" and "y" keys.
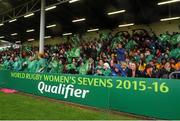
{"x": 18, "y": 106}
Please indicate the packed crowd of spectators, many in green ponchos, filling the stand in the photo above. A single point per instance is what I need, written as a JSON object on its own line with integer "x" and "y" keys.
{"x": 122, "y": 54}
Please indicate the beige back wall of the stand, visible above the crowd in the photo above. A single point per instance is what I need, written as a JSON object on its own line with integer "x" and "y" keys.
{"x": 158, "y": 28}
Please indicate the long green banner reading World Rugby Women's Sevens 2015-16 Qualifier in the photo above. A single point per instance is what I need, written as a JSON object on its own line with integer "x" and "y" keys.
{"x": 157, "y": 98}
